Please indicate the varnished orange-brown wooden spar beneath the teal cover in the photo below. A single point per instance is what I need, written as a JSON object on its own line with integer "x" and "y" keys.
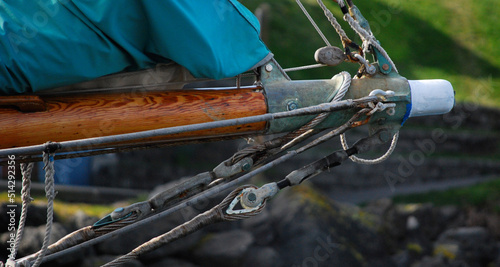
{"x": 71, "y": 117}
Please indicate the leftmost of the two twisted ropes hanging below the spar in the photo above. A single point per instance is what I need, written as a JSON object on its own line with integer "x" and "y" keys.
{"x": 26, "y": 198}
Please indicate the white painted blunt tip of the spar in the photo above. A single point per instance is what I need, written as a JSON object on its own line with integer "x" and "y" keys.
{"x": 431, "y": 97}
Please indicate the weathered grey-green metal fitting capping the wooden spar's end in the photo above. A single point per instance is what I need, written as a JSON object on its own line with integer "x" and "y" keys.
{"x": 283, "y": 94}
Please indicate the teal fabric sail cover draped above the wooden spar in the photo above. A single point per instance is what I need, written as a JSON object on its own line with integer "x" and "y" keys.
{"x": 49, "y": 43}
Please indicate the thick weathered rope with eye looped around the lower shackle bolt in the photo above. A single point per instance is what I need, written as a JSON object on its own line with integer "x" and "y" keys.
{"x": 214, "y": 215}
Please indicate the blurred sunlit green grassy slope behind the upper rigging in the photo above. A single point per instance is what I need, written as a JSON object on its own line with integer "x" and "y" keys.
{"x": 453, "y": 40}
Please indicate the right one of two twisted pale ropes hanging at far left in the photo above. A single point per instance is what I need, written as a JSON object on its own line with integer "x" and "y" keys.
{"x": 48, "y": 160}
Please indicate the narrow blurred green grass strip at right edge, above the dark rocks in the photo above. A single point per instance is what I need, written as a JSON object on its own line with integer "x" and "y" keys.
{"x": 484, "y": 195}
